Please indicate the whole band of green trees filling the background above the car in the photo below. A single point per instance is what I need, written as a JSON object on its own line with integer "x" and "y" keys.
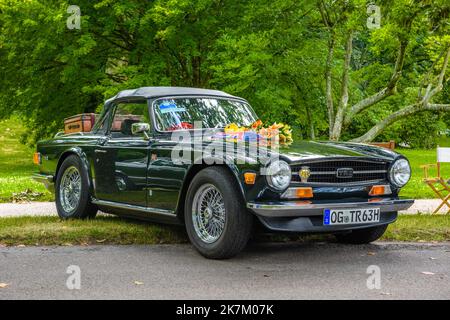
{"x": 338, "y": 69}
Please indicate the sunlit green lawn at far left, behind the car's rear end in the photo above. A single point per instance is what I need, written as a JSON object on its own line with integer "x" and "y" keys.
{"x": 16, "y": 166}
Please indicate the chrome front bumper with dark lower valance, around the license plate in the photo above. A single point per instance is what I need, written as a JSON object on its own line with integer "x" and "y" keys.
{"x": 307, "y": 217}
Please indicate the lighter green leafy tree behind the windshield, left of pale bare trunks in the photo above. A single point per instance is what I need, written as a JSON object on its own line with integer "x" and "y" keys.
{"x": 273, "y": 57}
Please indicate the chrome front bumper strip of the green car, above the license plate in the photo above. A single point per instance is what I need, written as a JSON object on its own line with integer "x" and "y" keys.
{"x": 315, "y": 208}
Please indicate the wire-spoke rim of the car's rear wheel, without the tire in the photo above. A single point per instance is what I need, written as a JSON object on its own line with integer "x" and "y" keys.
{"x": 70, "y": 189}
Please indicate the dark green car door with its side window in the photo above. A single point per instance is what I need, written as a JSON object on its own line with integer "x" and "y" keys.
{"x": 121, "y": 160}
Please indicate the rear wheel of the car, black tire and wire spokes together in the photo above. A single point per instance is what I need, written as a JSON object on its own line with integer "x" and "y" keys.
{"x": 73, "y": 199}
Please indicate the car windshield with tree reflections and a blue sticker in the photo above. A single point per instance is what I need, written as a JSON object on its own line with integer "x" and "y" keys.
{"x": 181, "y": 113}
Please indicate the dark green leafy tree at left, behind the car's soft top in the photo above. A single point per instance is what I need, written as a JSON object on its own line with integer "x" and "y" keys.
{"x": 52, "y": 72}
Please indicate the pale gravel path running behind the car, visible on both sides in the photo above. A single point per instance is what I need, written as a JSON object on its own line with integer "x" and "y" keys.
{"x": 49, "y": 209}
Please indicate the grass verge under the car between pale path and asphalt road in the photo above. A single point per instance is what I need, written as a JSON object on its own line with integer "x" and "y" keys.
{"x": 31, "y": 231}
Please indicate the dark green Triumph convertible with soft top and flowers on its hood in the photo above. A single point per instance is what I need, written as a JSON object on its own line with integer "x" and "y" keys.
{"x": 148, "y": 156}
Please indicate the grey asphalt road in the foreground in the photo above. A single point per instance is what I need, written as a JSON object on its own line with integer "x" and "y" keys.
{"x": 263, "y": 271}
